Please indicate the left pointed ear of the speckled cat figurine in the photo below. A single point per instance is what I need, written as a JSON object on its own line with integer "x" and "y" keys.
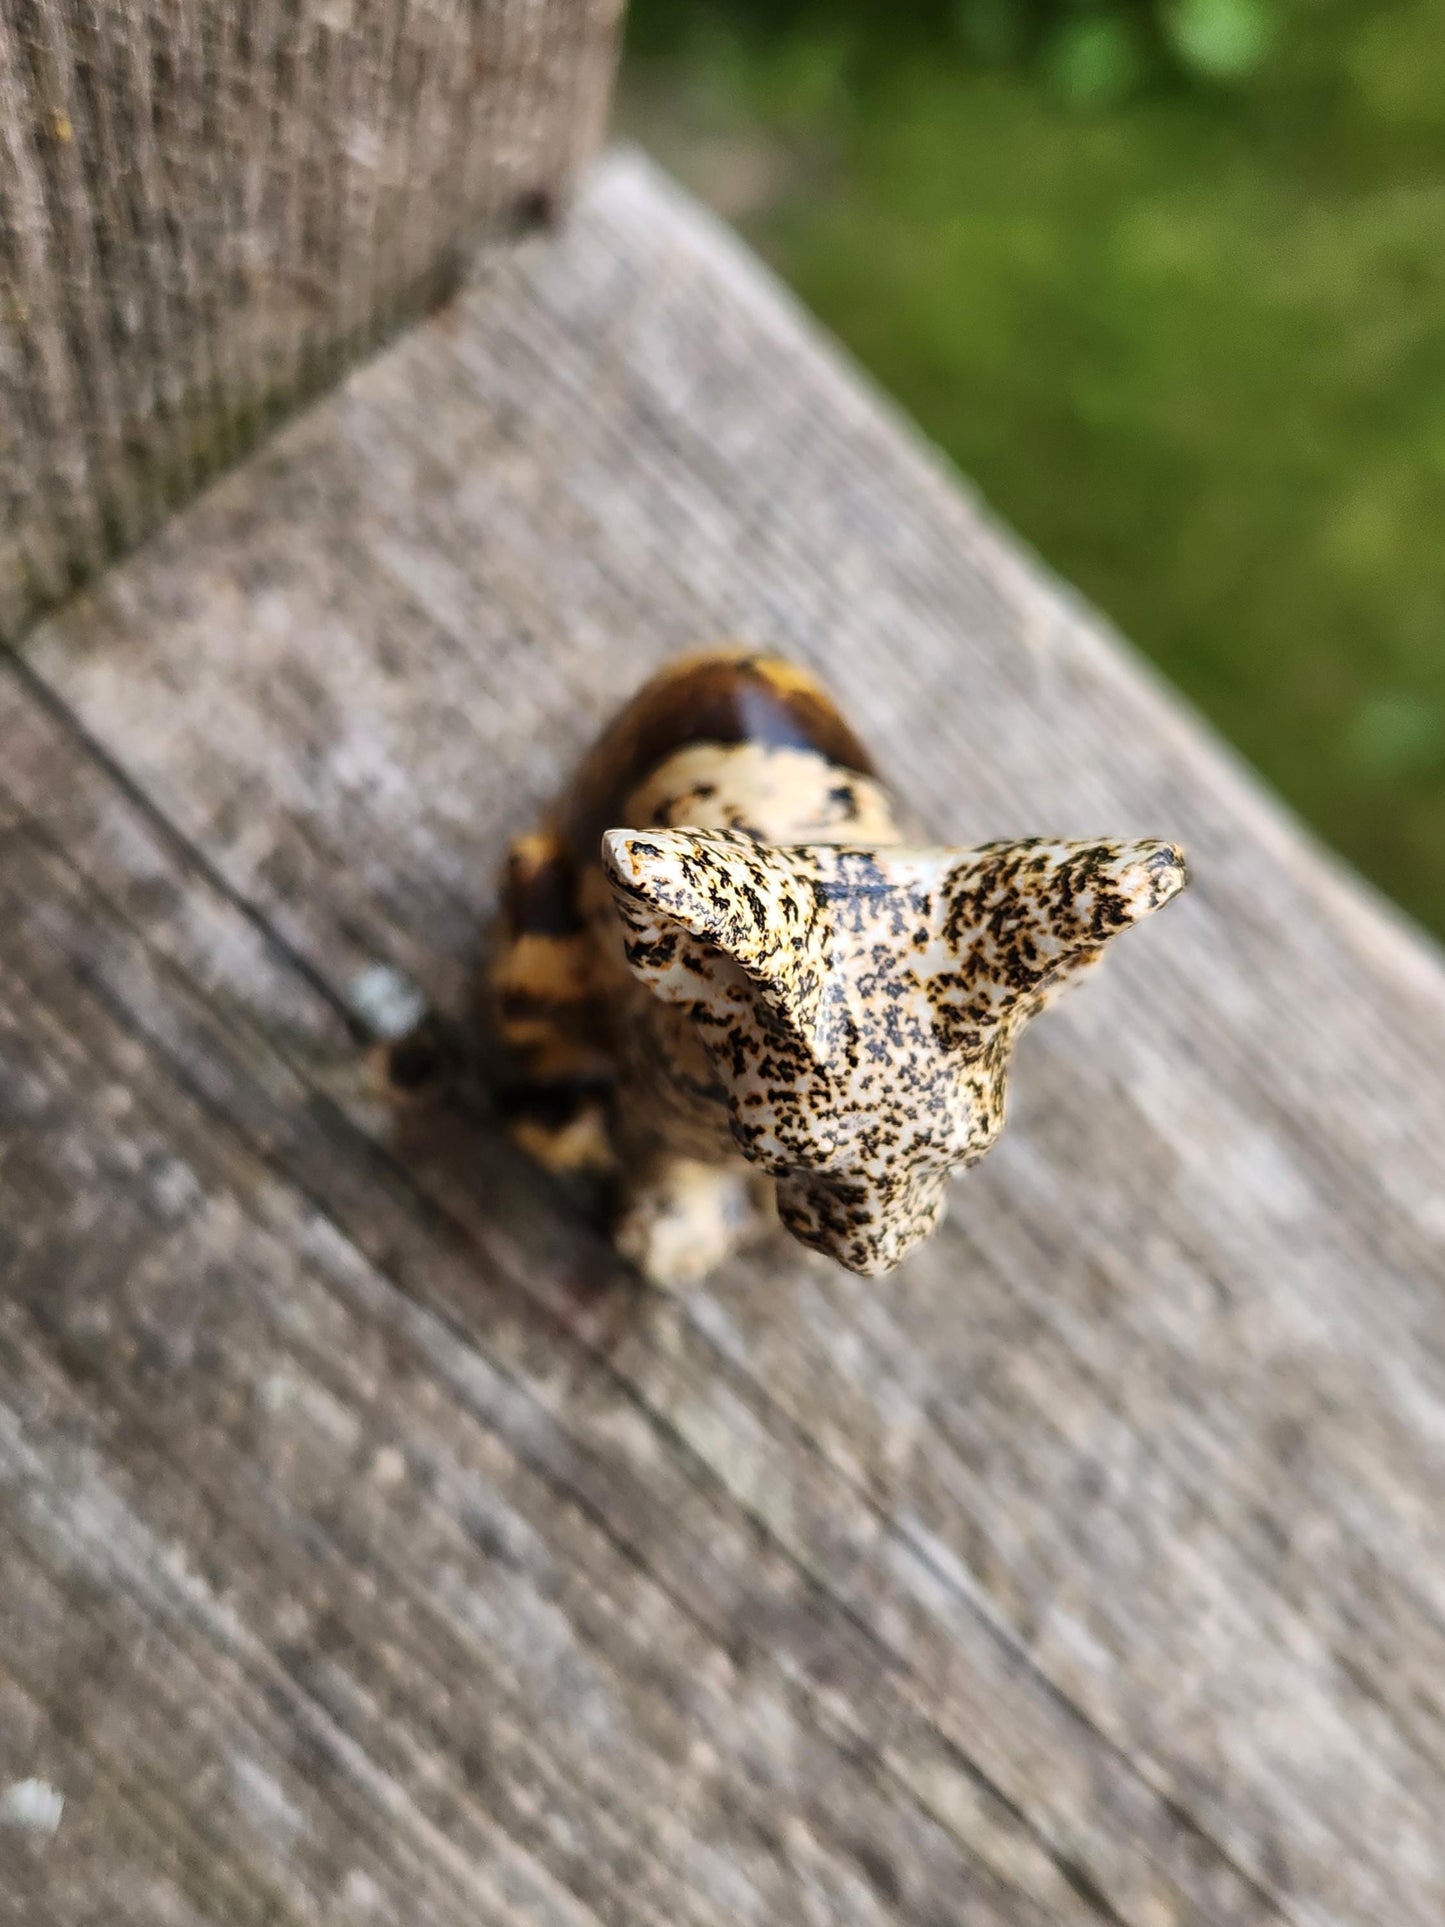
{"x": 712, "y": 916}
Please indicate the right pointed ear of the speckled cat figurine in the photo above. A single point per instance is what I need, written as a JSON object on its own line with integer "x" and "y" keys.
{"x": 1022, "y": 918}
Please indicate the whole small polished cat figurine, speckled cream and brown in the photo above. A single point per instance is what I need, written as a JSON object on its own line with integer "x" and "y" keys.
{"x": 733, "y": 984}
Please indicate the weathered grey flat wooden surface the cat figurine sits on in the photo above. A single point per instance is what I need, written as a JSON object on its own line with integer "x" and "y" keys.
{"x": 371, "y": 1548}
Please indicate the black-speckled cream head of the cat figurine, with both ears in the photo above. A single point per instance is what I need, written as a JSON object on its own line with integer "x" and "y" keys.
{"x": 858, "y": 1007}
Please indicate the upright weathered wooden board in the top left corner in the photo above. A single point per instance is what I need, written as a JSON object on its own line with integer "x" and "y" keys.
{"x": 207, "y": 207}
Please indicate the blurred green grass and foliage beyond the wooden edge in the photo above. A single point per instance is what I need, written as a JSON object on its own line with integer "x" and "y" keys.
{"x": 1169, "y": 280}
